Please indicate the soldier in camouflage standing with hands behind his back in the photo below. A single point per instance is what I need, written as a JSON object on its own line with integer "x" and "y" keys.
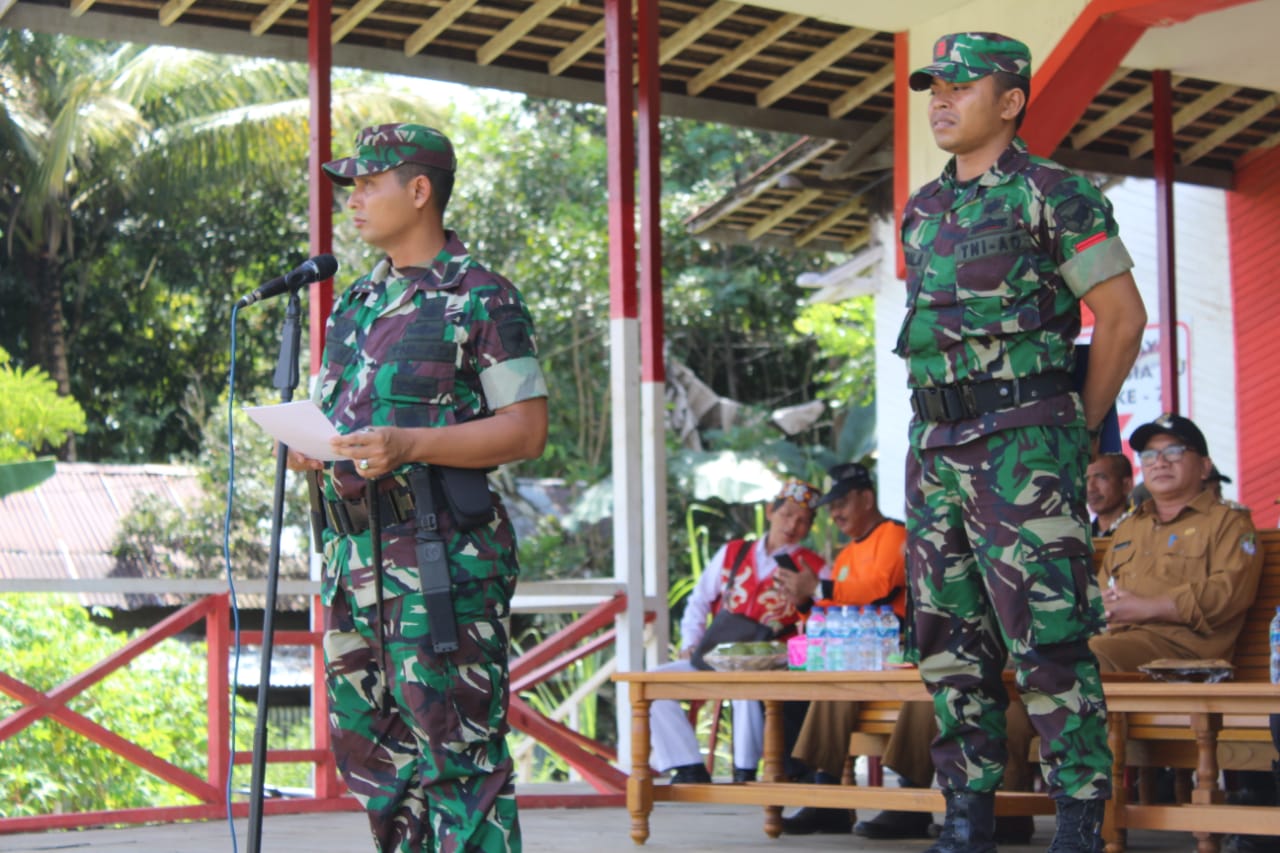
{"x": 1000, "y": 252}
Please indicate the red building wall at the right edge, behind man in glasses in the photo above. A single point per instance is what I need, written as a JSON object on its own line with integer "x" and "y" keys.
{"x": 1254, "y": 225}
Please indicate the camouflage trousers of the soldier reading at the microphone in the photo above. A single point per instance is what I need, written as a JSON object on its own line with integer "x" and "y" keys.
{"x": 423, "y": 745}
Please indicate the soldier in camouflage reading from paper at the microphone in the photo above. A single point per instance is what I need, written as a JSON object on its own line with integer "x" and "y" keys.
{"x": 429, "y": 362}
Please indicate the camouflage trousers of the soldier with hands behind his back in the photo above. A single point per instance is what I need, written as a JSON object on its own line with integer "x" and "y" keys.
{"x": 1000, "y": 569}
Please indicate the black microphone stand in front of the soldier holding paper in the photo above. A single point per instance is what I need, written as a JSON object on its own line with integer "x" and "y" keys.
{"x": 286, "y": 381}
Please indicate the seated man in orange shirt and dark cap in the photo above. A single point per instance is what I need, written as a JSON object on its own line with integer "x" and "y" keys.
{"x": 871, "y": 571}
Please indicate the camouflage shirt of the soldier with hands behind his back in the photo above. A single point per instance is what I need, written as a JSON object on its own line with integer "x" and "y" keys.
{"x": 996, "y": 268}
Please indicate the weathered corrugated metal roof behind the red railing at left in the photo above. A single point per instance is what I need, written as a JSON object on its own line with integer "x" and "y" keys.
{"x": 65, "y": 527}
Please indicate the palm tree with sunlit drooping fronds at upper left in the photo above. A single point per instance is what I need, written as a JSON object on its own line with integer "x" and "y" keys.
{"x": 89, "y": 129}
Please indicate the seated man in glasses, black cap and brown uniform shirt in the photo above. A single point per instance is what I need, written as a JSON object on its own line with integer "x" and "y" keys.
{"x": 1183, "y": 567}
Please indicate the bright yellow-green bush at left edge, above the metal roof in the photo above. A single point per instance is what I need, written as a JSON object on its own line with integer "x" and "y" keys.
{"x": 34, "y": 414}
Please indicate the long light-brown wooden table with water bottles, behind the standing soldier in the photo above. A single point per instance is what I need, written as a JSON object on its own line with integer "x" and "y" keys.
{"x": 1206, "y": 705}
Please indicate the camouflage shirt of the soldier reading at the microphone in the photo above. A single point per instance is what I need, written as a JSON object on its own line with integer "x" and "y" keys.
{"x": 423, "y": 348}
